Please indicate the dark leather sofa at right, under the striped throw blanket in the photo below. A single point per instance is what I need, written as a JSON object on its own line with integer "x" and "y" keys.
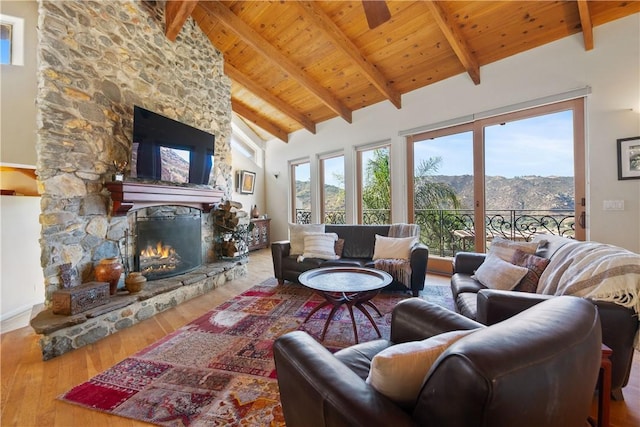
{"x": 487, "y": 306}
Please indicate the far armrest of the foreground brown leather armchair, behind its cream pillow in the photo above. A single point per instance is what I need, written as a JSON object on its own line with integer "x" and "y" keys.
{"x": 415, "y": 319}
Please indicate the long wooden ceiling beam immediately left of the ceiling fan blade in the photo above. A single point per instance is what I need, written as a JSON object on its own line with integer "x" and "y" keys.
{"x": 343, "y": 43}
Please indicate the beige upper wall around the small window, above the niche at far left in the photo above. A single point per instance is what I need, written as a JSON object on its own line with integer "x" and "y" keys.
{"x": 18, "y": 85}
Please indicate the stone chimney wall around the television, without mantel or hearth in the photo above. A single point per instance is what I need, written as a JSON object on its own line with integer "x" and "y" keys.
{"x": 96, "y": 60}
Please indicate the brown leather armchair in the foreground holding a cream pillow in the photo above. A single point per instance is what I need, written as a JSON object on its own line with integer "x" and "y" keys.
{"x": 538, "y": 368}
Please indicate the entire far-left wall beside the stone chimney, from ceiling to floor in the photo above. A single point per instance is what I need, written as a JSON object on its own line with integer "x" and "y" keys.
{"x": 21, "y": 279}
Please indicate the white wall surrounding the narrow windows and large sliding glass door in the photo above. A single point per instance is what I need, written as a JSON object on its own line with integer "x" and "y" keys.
{"x": 611, "y": 70}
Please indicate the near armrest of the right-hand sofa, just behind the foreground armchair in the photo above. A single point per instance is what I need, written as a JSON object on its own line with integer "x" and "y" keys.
{"x": 495, "y": 306}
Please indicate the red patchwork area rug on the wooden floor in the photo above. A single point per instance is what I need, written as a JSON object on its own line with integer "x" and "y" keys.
{"x": 218, "y": 370}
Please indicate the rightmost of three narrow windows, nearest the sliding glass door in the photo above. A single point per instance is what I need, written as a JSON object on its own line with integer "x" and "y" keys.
{"x": 374, "y": 185}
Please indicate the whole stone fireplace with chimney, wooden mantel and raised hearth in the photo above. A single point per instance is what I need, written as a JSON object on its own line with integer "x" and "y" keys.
{"x": 96, "y": 61}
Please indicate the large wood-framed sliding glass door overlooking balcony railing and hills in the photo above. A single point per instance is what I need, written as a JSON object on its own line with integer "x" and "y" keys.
{"x": 513, "y": 175}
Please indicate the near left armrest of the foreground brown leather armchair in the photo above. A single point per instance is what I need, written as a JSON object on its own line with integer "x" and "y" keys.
{"x": 316, "y": 389}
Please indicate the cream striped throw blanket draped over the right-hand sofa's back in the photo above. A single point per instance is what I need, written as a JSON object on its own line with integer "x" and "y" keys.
{"x": 596, "y": 271}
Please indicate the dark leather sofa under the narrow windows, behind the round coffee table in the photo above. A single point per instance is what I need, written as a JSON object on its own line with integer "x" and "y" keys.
{"x": 359, "y": 241}
